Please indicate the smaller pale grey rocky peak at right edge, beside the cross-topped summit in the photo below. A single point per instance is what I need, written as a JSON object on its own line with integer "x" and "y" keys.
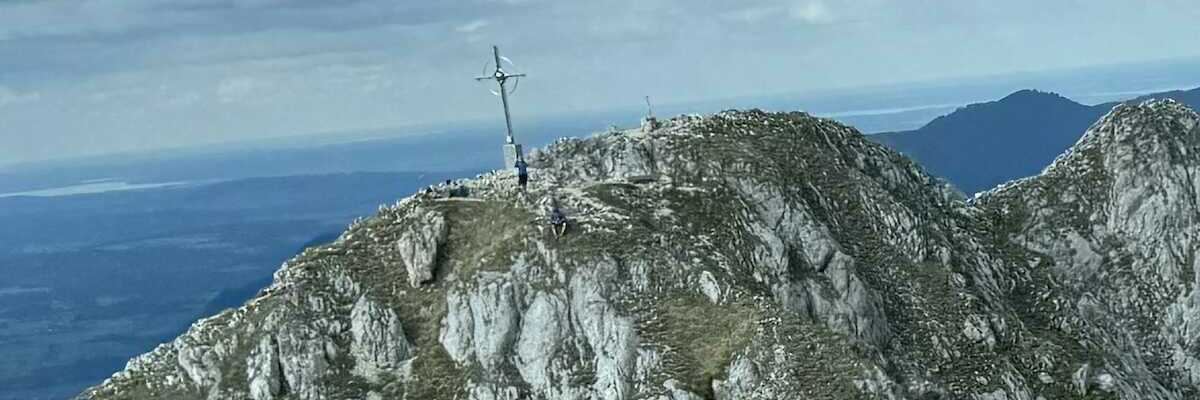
{"x": 1119, "y": 222}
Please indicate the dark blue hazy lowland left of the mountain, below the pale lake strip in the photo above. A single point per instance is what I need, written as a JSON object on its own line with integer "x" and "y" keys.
{"x": 92, "y": 280}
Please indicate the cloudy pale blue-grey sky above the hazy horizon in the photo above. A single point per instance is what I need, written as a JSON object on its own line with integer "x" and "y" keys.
{"x": 101, "y": 76}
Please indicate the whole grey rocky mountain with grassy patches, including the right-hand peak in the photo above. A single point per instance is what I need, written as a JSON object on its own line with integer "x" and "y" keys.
{"x": 775, "y": 256}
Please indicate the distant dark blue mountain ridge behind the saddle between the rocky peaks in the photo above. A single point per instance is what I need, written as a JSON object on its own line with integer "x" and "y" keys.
{"x": 985, "y": 145}
